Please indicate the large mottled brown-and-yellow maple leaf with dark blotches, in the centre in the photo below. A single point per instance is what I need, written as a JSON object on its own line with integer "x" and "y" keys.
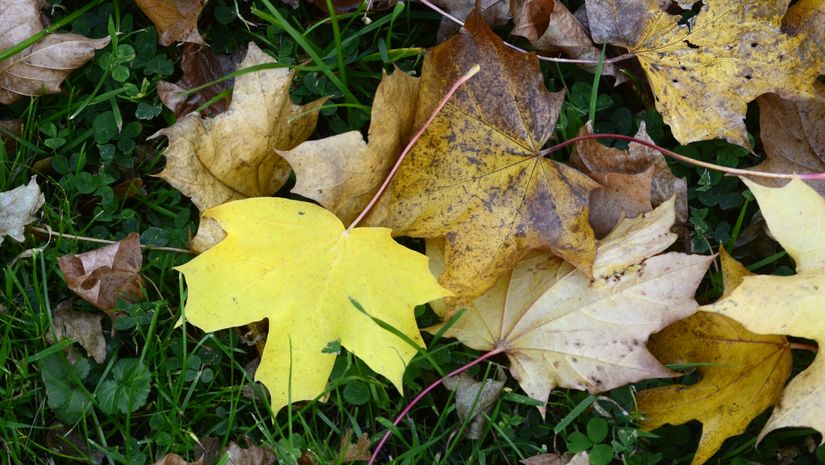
{"x": 477, "y": 176}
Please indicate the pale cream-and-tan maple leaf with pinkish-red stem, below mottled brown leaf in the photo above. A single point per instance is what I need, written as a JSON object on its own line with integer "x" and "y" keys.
{"x": 560, "y": 328}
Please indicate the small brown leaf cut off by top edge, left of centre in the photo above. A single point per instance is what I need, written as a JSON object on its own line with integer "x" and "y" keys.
{"x": 176, "y": 20}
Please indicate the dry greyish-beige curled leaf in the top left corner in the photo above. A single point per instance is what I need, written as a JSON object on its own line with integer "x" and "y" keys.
{"x": 40, "y": 68}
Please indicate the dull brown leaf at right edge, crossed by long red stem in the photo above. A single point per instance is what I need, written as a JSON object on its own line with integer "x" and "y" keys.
{"x": 793, "y": 134}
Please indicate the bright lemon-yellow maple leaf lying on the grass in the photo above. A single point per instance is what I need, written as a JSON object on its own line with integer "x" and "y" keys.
{"x": 294, "y": 264}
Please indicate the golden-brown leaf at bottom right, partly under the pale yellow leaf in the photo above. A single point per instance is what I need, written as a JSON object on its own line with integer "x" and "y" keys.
{"x": 746, "y": 373}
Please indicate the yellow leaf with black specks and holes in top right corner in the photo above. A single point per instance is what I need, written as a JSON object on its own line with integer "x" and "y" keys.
{"x": 704, "y": 73}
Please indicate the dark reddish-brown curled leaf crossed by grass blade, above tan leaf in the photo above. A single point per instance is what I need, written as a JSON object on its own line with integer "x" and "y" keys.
{"x": 199, "y": 66}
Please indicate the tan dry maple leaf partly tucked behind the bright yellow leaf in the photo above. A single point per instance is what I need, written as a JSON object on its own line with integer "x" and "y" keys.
{"x": 231, "y": 156}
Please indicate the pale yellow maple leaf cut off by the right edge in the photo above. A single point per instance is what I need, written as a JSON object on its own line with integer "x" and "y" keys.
{"x": 793, "y": 305}
